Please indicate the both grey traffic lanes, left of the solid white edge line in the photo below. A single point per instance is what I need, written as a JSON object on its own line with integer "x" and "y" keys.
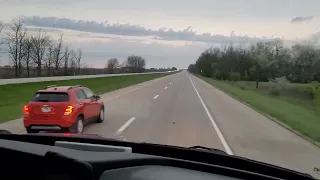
{"x": 166, "y": 112}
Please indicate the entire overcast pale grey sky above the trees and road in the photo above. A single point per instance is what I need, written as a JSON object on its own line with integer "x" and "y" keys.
{"x": 166, "y": 33}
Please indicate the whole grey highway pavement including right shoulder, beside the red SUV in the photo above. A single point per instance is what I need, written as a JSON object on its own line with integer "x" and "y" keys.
{"x": 183, "y": 110}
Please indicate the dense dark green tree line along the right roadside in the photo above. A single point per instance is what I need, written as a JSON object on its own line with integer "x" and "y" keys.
{"x": 263, "y": 61}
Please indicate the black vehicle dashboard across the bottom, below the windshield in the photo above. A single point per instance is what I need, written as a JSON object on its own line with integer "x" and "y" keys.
{"x": 68, "y": 160}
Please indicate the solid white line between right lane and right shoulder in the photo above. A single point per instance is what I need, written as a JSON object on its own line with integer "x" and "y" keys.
{"x": 222, "y": 139}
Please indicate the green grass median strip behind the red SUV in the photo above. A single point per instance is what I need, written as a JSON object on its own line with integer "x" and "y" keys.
{"x": 14, "y": 96}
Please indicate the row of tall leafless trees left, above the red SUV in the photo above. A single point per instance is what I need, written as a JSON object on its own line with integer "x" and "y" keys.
{"x": 38, "y": 54}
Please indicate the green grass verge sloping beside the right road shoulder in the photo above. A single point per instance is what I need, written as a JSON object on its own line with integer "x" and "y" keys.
{"x": 300, "y": 114}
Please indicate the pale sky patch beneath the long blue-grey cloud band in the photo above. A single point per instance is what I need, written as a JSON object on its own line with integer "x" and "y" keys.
{"x": 97, "y": 48}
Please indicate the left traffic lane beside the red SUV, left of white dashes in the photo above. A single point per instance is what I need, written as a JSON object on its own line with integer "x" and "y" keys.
{"x": 121, "y": 105}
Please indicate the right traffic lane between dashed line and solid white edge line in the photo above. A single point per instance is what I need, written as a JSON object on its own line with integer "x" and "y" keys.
{"x": 176, "y": 117}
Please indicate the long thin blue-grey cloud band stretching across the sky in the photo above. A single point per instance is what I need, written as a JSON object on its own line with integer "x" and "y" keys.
{"x": 134, "y": 30}
